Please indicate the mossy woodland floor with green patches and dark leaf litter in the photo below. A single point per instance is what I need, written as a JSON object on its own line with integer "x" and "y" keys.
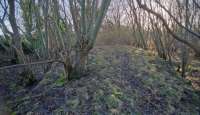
{"x": 121, "y": 80}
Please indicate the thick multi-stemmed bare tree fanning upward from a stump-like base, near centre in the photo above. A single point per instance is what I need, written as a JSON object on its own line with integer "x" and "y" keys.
{"x": 87, "y": 18}
